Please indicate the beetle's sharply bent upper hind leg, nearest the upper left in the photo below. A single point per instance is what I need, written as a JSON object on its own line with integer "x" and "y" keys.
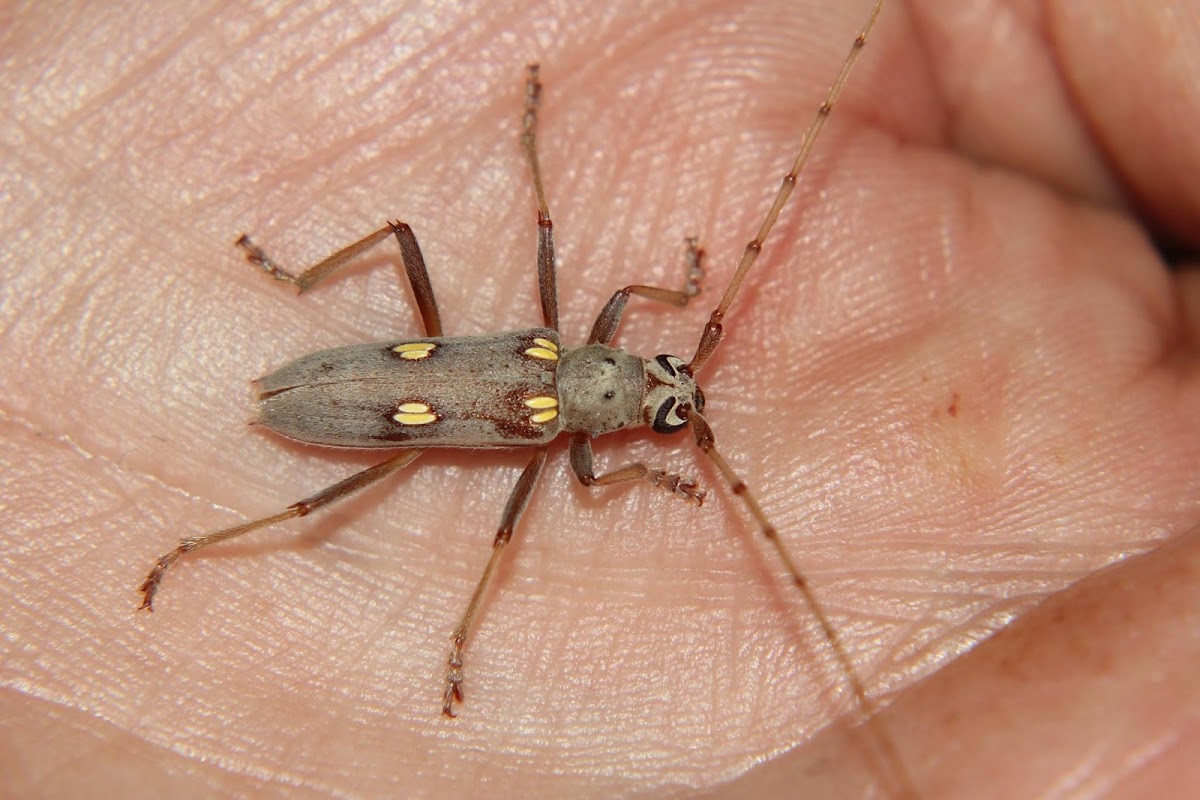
{"x": 410, "y": 254}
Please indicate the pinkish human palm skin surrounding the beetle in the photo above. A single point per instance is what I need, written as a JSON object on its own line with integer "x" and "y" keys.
{"x": 962, "y": 381}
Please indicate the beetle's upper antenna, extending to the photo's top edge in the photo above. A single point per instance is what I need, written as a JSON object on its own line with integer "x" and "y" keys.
{"x": 713, "y": 332}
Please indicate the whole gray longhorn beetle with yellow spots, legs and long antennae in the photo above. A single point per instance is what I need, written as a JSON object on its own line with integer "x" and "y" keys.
{"x": 517, "y": 389}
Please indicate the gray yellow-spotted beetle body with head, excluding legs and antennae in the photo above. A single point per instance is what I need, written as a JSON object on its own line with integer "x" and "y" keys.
{"x": 506, "y": 390}
